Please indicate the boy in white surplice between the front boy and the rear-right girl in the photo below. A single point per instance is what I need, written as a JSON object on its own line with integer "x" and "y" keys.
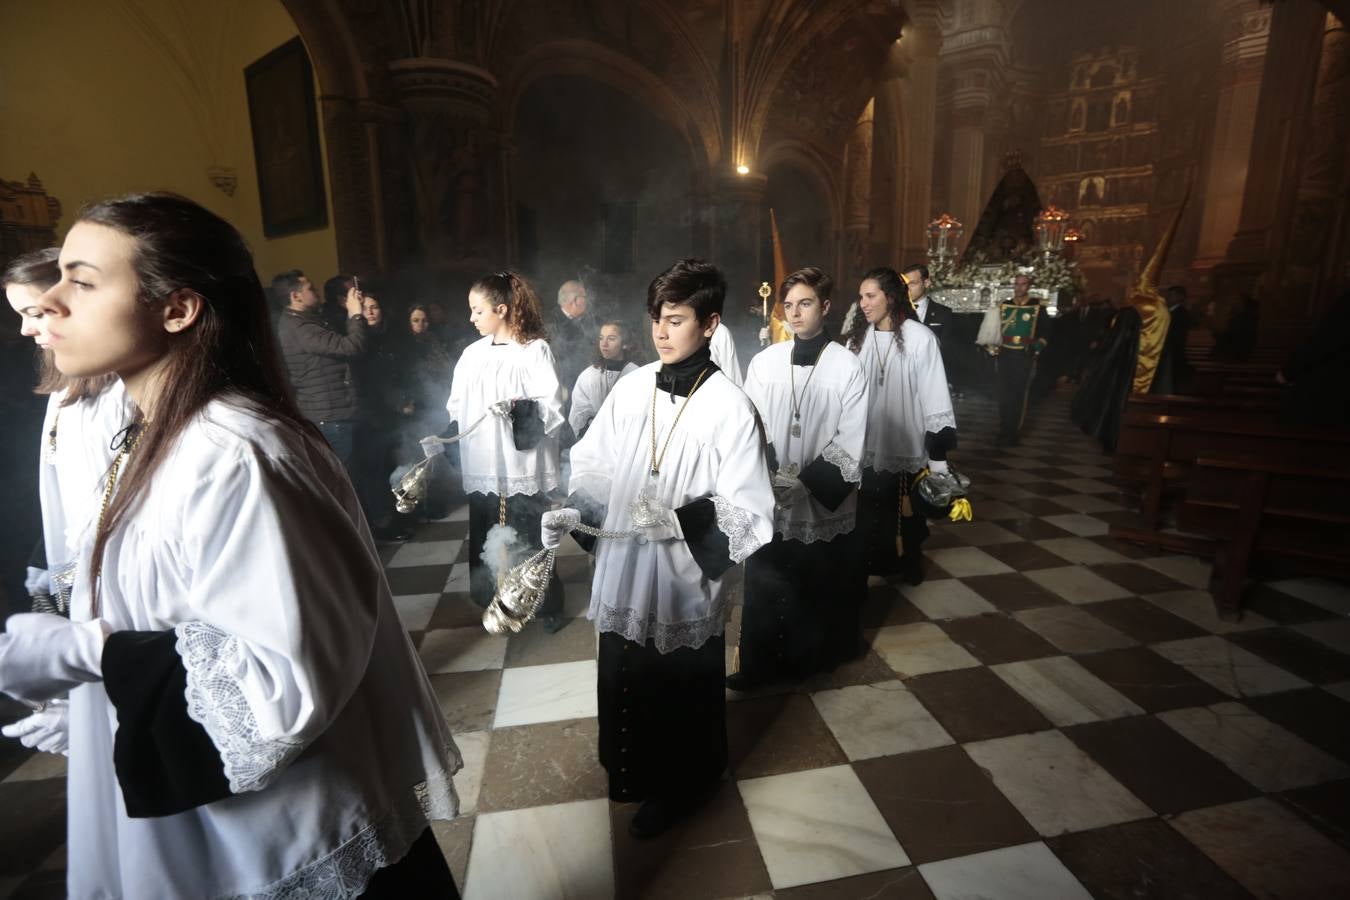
{"x": 801, "y": 616}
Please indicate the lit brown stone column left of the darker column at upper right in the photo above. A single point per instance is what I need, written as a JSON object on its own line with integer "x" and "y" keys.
{"x": 1247, "y": 33}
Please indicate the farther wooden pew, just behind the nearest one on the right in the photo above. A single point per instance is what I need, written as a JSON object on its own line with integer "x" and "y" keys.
{"x": 1158, "y": 451}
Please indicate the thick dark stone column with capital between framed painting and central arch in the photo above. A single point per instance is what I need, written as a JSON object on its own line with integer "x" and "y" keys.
{"x": 457, "y": 163}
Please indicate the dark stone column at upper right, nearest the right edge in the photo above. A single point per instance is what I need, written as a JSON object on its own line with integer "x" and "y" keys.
{"x": 1268, "y": 199}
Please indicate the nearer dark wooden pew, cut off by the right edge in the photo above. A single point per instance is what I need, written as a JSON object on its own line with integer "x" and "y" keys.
{"x": 1268, "y": 512}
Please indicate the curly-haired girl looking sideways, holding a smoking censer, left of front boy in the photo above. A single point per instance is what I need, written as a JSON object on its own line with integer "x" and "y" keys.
{"x": 506, "y": 400}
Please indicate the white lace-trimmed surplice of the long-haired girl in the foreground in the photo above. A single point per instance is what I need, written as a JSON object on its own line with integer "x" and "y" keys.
{"x": 252, "y": 547}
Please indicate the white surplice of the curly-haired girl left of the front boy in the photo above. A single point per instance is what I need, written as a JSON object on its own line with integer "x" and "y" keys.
{"x": 488, "y": 373}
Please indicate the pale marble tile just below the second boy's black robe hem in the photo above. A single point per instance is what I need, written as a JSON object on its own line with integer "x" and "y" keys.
{"x": 880, "y": 720}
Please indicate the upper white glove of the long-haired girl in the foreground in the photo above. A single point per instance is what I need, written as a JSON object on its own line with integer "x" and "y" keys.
{"x": 45, "y": 655}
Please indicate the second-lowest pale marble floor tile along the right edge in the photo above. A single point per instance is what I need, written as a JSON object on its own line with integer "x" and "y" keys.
{"x": 1260, "y": 751}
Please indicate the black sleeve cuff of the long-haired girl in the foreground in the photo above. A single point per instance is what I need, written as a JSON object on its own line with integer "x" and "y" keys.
{"x": 164, "y": 760}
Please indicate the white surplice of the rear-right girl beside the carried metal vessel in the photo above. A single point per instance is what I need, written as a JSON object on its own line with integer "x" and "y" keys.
{"x": 913, "y": 400}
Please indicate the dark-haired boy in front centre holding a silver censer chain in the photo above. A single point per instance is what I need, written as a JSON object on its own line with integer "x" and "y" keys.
{"x": 677, "y": 447}
